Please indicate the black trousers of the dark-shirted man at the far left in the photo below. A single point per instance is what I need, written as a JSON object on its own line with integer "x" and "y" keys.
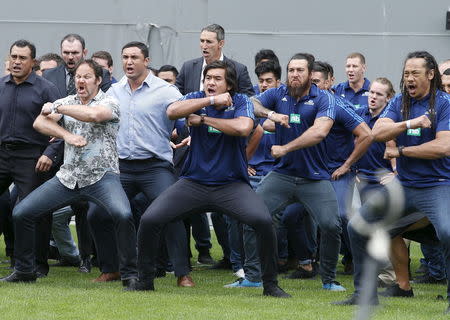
{"x": 17, "y": 165}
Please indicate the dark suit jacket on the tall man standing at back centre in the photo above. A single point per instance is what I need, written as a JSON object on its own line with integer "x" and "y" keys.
{"x": 190, "y": 74}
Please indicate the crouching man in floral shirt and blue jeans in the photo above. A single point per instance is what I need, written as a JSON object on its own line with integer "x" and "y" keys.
{"x": 88, "y": 122}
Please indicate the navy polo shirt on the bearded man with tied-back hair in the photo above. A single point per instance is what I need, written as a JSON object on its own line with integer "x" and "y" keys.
{"x": 312, "y": 162}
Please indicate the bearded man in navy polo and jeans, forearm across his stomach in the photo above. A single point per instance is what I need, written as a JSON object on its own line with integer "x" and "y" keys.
{"x": 303, "y": 115}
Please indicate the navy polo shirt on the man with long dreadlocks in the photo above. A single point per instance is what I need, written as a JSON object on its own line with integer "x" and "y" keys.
{"x": 414, "y": 172}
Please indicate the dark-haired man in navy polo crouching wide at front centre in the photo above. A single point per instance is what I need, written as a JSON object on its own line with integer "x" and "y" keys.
{"x": 214, "y": 176}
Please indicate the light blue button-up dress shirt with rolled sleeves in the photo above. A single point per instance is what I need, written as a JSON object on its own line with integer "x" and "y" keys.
{"x": 145, "y": 129}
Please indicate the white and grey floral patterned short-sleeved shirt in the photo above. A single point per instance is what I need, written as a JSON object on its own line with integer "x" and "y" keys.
{"x": 84, "y": 166}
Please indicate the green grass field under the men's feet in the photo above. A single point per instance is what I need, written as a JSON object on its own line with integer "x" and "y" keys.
{"x": 67, "y": 294}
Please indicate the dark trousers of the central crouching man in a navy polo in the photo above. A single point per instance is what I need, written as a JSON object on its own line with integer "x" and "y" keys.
{"x": 237, "y": 200}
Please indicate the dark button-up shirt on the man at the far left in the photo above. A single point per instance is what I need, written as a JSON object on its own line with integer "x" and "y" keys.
{"x": 19, "y": 107}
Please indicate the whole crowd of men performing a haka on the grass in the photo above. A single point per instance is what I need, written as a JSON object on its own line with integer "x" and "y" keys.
{"x": 141, "y": 160}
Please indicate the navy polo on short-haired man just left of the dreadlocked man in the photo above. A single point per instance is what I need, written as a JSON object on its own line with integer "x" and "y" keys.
{"x": 372, "y": 161}
